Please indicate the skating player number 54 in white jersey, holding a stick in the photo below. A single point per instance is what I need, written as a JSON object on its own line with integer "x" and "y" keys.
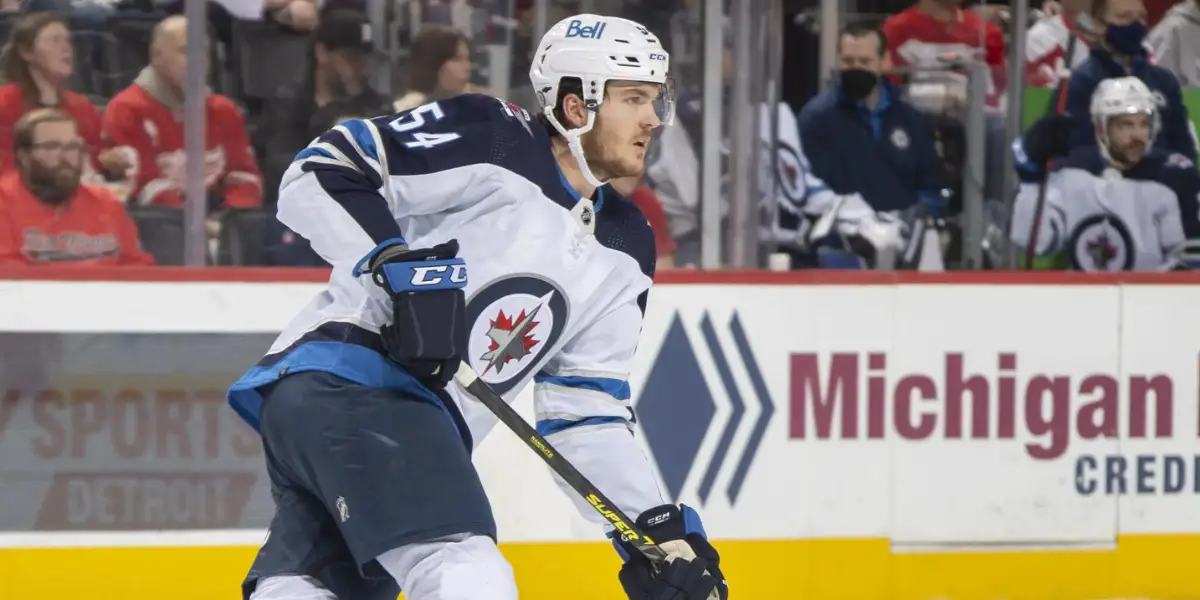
{"x": 367, "y": 435}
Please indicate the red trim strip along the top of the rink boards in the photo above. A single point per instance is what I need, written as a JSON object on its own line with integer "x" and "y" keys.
{"x": 685, "y": 277}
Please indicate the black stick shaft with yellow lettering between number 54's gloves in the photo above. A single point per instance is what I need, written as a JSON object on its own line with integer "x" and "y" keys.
{"x": 603, "y": 506}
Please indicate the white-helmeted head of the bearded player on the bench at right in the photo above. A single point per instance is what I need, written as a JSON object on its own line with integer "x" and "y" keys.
{"x": 1126, "y": 117}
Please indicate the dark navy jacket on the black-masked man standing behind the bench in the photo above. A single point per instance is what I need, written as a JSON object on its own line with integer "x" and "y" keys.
{"x": 887, "y": 155}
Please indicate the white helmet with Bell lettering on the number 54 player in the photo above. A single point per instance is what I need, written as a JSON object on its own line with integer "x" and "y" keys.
{"x": 597, "y": 51}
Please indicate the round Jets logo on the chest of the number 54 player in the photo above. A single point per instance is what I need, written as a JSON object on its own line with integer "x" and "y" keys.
{"x": 515, "y": 323}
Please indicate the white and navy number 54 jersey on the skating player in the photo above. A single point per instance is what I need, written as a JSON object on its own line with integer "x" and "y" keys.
{"x": 557, "y": 283}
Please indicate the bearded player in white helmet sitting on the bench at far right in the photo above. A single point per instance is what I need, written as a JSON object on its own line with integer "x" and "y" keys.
{"x": 1118, "y": 206}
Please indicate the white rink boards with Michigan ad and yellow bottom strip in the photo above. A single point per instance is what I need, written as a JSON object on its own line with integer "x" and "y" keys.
{"x": 868, "y": 437}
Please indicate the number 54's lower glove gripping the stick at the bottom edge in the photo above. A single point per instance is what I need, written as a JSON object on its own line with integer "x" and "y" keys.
{"x": 680, "y": 532}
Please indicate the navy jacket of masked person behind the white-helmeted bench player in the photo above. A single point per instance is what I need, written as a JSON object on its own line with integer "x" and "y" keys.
{"x": 1177, "y": 134}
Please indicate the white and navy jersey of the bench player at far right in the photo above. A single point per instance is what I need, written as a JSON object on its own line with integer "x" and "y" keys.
{"x": 1099, "y": 219}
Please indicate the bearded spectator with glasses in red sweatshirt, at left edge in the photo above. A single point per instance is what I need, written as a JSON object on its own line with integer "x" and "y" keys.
{"x": 47, "y": 217}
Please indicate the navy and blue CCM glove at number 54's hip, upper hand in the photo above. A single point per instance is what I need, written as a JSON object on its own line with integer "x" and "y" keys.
{"x": 428, "y": 334}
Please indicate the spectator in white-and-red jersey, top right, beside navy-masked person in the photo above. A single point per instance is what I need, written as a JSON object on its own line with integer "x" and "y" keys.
{"x": 1046, "y": 47}
